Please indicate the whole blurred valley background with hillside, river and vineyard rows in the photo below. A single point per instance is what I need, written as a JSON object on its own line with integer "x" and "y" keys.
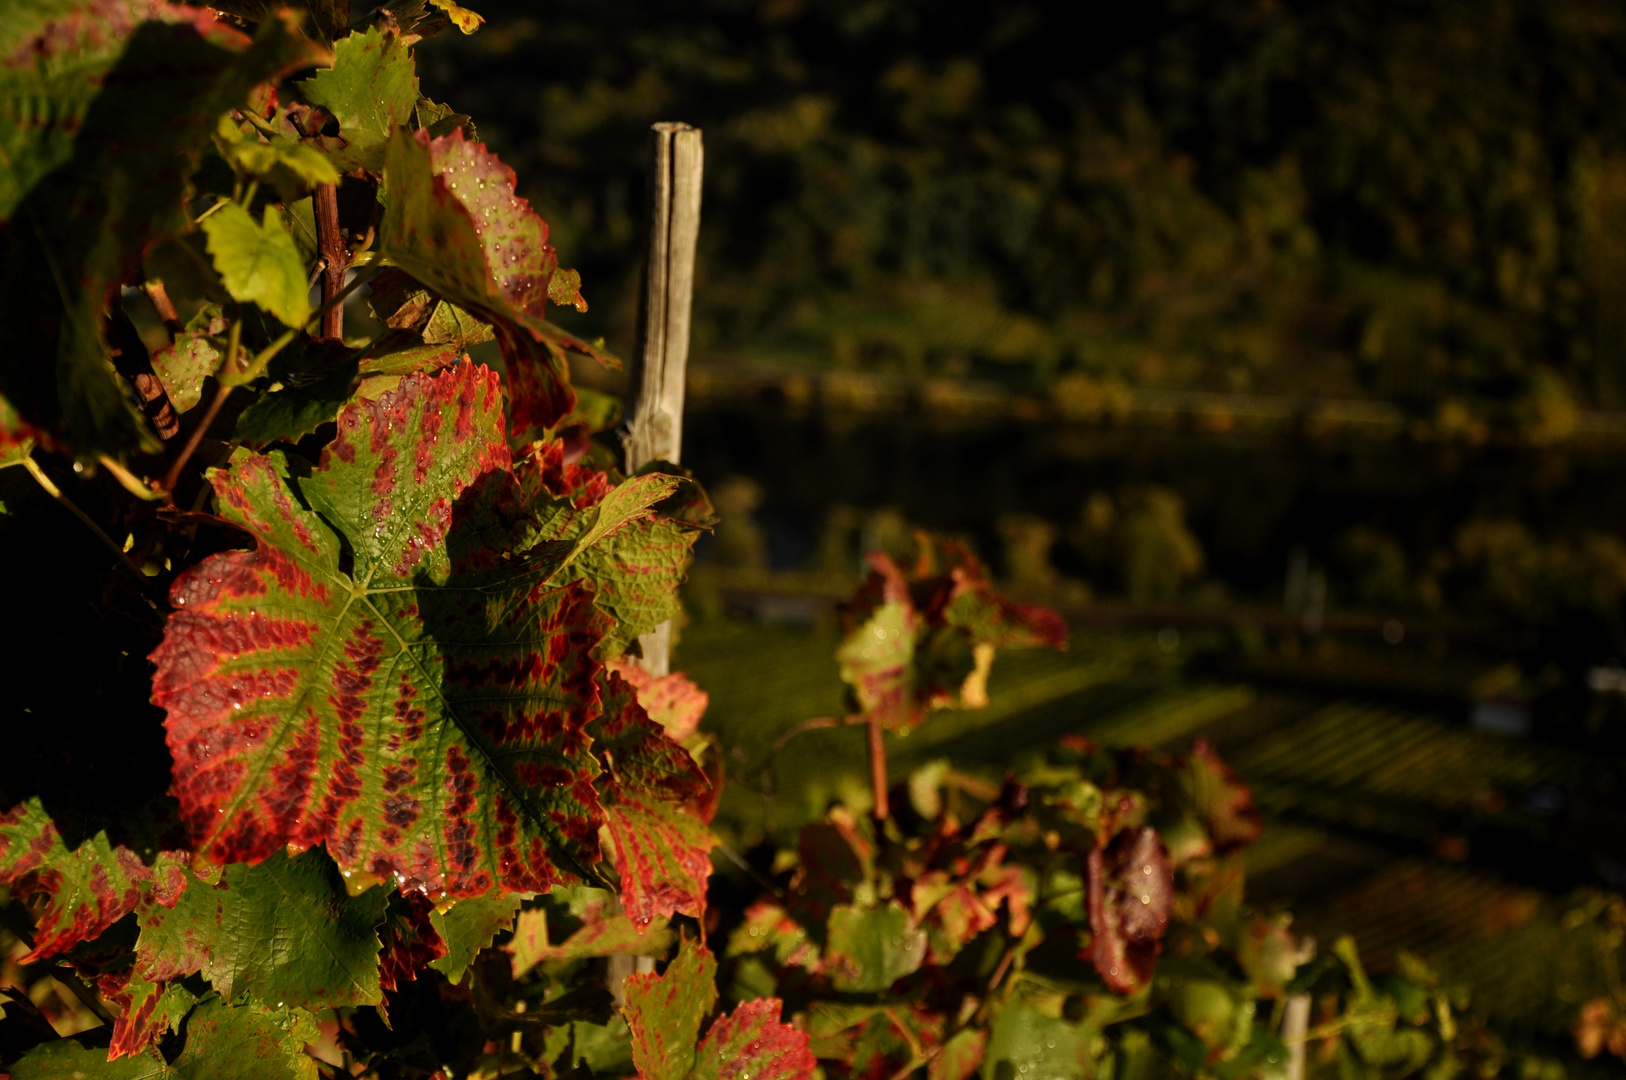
{"x": 1277, "y": 346}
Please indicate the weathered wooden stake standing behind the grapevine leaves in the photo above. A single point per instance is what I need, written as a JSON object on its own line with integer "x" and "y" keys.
{"x": 654, "y": 422}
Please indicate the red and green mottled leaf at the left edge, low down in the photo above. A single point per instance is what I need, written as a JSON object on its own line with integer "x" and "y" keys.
{"x": 89, "y": 889}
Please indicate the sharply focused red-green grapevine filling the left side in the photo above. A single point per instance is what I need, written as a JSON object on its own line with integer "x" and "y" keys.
{"x": 385, "y": 596}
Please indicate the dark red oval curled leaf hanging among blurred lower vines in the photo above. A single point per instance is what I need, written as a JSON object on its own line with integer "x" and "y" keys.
{"x": 1131, "y": 891}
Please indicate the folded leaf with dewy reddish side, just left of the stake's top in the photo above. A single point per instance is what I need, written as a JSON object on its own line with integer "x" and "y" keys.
{"x": 456, "y": 225}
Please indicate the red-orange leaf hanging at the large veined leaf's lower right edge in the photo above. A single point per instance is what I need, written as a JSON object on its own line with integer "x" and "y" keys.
{"x": 661, "y": 848}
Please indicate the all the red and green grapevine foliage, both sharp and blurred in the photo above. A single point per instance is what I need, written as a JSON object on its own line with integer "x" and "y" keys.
{"x": 357, "y": 770}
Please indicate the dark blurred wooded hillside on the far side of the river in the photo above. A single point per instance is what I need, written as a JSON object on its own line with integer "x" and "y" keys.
{"x": 1417, "y": 201}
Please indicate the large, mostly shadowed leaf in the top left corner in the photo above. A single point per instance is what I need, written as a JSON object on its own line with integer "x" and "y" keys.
{"x": 103, "y": 118}
